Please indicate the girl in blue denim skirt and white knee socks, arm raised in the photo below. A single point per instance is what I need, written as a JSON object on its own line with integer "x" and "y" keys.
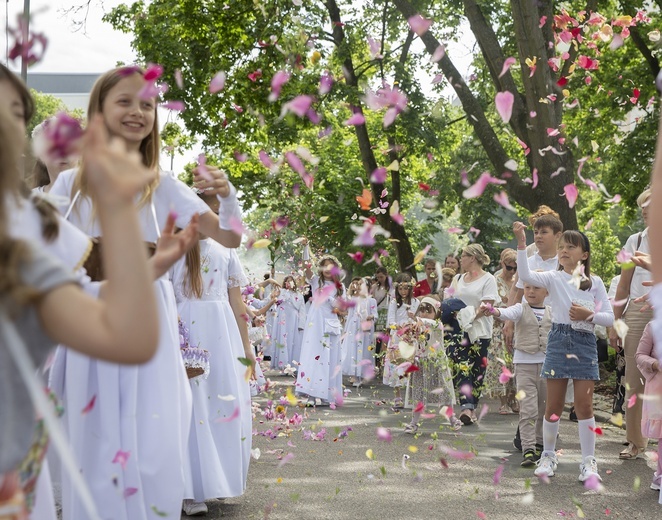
{"x": 579, "y": 302}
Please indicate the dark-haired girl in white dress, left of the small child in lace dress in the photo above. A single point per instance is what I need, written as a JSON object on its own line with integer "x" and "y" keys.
{"x": 401, "y": 310}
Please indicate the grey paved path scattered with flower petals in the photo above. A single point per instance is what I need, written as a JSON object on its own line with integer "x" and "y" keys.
{"x": 334, "y": 479}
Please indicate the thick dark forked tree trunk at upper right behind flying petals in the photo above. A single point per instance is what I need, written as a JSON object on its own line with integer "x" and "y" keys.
{"x": 530, "y": 120}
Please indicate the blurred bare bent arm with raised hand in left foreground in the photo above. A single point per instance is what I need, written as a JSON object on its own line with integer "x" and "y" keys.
{"x": 123, "y": 327}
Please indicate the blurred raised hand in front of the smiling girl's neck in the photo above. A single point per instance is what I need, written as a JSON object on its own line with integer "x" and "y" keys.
{"x": 115, "y": 175}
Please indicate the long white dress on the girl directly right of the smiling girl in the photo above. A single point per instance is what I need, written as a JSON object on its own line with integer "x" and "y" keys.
{"x": 221, "y": 427}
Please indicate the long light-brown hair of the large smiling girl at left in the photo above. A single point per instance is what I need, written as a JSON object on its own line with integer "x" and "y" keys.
{"x": 150, "y": 146}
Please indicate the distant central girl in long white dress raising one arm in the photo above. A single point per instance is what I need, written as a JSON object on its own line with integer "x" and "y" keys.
{"x": 320, "y": 372}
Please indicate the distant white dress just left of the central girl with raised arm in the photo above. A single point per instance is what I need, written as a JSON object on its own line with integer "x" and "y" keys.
{"x": 285, "y": 337}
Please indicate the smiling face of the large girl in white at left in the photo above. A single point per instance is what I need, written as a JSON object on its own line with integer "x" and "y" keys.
{"x": 125, "y": 114}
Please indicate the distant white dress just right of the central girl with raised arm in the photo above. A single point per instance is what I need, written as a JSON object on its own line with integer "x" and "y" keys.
{"x": 358, "y": 344}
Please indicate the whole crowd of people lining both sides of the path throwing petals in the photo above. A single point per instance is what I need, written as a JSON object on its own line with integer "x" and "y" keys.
{"x": 164, "y": 332}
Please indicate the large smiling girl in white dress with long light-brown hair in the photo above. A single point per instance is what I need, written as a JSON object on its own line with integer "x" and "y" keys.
{"x": 140, "y": 411}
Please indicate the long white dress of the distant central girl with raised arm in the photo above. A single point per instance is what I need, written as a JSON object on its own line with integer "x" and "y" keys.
{"x": 320, "y": 372}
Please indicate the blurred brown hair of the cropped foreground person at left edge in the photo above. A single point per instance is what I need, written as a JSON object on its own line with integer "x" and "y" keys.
{"x": 13, "y": 253}
